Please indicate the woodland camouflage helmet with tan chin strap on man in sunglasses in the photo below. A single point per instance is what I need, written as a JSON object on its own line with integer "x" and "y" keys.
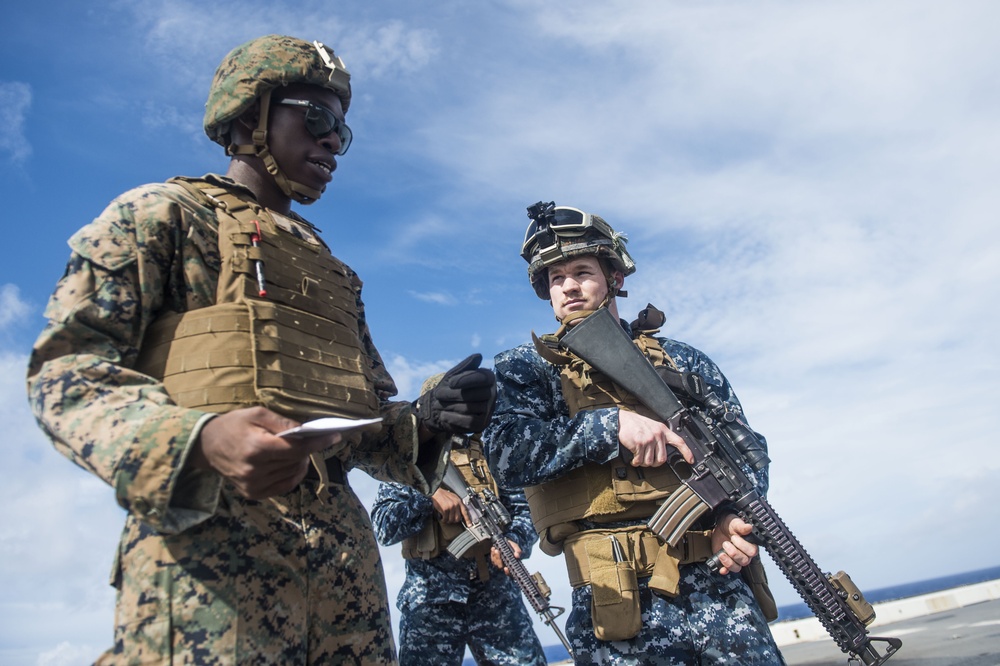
{"x": 253, "y": 71}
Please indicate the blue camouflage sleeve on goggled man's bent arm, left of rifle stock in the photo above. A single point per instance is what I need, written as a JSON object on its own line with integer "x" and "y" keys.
{"x": 531, "y": 437}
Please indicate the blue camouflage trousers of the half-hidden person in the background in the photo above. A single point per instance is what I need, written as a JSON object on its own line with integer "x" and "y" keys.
{"x": 494, "y": 623}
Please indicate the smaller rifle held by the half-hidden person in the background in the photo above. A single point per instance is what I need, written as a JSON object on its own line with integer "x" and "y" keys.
{"x": 489, "y": 520}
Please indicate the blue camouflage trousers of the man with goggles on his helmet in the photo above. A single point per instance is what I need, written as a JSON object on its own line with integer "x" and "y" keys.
{"x": 713, "y": 620}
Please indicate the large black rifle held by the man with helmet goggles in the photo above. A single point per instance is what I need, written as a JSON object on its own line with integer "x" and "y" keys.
{"x": 722, "y": 445}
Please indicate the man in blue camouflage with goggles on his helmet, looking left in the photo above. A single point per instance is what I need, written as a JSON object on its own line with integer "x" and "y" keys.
{"x": 557, "y": 431}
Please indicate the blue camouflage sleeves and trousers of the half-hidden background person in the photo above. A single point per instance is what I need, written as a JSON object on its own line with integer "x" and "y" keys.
{"x": 445, "y": 604}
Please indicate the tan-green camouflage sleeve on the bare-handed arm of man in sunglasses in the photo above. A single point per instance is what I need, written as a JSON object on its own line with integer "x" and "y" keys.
{"x": 112, "y": 421}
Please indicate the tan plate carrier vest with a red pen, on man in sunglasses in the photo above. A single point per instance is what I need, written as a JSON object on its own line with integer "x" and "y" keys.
{"x": 296, "y": 351}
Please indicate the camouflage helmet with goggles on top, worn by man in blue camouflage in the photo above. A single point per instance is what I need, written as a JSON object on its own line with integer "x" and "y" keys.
{"x": 560, "y": 233}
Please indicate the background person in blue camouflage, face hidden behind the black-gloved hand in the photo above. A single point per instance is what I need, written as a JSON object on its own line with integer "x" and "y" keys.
{"x": 446, "y": 602}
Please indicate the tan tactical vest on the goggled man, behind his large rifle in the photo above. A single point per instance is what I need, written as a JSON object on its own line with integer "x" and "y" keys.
{"x": 599, "y": 493}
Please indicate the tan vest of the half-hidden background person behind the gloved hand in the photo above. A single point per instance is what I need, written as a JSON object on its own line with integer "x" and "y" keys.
{"x": 437, "y": 535}
